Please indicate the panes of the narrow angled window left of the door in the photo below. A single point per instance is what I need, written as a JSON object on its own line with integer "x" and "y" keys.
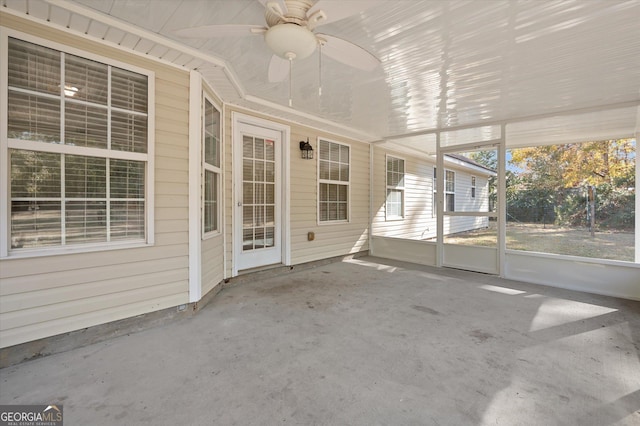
{"x": 211, "y": 167}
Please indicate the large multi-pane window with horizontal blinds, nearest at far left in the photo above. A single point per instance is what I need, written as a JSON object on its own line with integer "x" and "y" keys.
{"x": 77, "y": 141}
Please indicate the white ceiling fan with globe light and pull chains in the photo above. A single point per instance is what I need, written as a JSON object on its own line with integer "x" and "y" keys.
{"x": 290, "y": 33}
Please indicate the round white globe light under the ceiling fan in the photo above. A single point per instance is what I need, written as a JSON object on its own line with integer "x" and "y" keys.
{"x": 291, "y": 41}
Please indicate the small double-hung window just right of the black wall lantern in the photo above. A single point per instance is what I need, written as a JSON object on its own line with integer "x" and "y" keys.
{"x": 333, "y": 182}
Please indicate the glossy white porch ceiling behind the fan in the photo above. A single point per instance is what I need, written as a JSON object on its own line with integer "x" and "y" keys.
{"x": 443, "y": 63}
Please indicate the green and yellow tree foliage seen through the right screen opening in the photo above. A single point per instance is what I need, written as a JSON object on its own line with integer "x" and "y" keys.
{"x": 551, "y": 181}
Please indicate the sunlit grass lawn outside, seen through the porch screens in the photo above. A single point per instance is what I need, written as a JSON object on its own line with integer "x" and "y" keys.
{"x": 554, "y": 239}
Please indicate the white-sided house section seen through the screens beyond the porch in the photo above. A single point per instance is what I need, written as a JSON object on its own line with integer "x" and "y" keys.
{"x": 407, "y": 209}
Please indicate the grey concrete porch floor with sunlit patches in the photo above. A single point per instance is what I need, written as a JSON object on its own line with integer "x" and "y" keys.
{"x": 361, "y": 342}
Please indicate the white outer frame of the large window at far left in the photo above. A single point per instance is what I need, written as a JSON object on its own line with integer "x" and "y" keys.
{"x": 6, "y": 145}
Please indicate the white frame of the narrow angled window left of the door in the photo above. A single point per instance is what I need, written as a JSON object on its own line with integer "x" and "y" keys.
{"x": 217, "y": 170}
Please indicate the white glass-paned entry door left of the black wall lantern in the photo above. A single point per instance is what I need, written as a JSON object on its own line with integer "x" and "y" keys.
{"x": 257, "y": 181}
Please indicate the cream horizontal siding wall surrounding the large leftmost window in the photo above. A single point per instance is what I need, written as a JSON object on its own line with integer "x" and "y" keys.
{"x": 49, "y": 295}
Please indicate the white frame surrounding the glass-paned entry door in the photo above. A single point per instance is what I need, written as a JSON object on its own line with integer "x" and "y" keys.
{"x": 237, "y": 120}
